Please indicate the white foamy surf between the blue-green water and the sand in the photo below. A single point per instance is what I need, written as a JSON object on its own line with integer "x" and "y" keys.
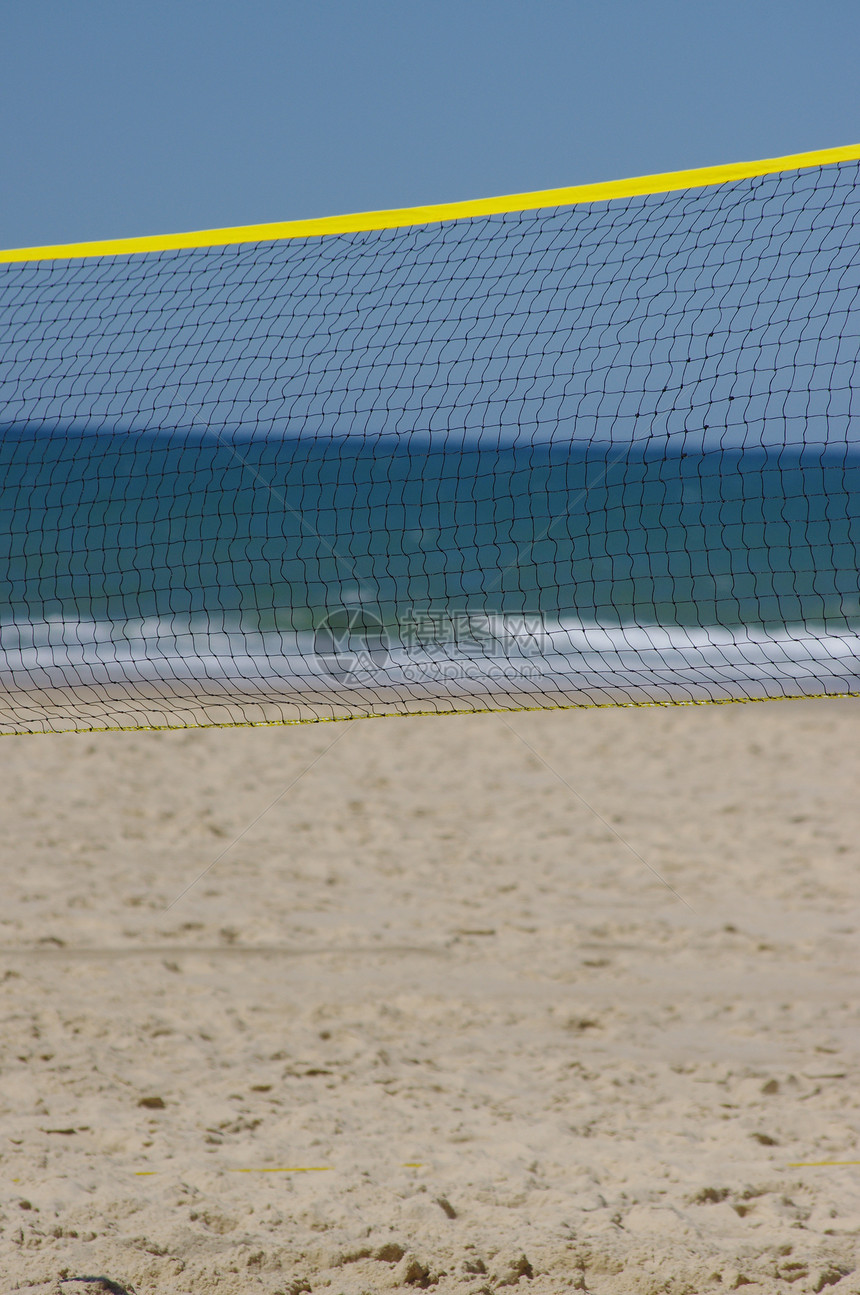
{"x": 533, "y": 662}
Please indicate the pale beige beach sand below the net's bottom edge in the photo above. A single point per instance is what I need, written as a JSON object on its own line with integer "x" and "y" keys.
{"x": 433, "y": 972}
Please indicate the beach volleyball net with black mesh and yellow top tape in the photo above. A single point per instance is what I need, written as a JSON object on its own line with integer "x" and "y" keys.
{"x": 580, "y": 447}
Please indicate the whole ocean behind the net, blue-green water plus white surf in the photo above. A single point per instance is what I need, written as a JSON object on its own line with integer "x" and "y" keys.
{"x": 368, "y": 573}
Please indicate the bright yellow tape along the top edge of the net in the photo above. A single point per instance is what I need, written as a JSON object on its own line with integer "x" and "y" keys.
{"x": 668, "y": 183}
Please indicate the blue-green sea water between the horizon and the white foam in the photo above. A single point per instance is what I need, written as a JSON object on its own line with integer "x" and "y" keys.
{"x": 275, "y": 534}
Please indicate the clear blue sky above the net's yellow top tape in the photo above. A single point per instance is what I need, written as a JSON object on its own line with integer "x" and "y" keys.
{"x": 164, "y": 116}
